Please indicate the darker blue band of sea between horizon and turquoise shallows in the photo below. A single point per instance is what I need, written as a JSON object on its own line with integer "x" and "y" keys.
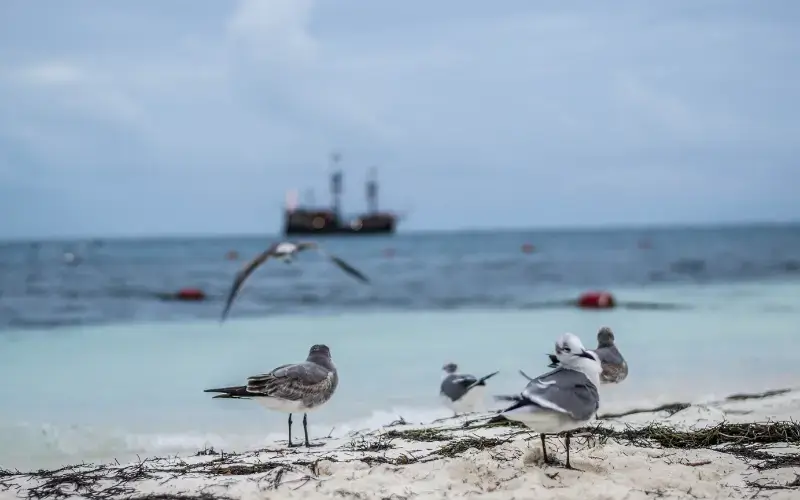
{"x": 122, "y": 281}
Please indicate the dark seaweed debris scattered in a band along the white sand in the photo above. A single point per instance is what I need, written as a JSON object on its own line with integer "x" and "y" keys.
{"x": 275, "y": 469}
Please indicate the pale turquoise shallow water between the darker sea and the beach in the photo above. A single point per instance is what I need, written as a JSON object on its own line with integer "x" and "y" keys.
{"x": 114, "y": 391}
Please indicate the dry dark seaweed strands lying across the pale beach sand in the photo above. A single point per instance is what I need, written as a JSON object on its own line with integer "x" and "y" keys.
{"x": 106, "y": 482}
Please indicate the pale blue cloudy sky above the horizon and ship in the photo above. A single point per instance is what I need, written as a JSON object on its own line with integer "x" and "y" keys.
{"x": 196, "y": 116}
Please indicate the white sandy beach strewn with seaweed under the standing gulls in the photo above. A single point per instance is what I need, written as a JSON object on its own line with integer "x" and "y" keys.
{"x": 444, "y": 459}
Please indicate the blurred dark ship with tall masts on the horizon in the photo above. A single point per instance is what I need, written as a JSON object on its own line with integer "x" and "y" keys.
{"x": 310, "y": 220}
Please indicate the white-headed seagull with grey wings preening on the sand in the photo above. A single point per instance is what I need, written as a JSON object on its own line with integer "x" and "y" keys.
{"x": 563, "y": 399}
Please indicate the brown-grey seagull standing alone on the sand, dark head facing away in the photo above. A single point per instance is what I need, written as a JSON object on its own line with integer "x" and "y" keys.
{"x": 291, "y": 388}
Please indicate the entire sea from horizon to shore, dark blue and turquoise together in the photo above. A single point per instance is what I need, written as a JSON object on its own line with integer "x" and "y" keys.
{"x": 98, "y": 365}
